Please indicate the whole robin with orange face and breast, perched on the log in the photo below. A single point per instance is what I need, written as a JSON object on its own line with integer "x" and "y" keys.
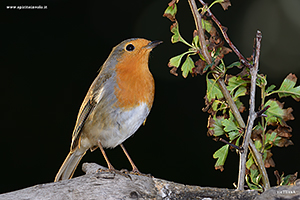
{"x": 115, "y": 106}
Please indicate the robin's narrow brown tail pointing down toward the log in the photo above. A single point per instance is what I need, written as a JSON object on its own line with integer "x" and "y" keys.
{"x": 67, "y": 169}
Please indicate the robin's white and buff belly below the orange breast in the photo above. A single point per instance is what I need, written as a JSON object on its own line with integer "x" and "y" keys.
{"x": 122, "y": 125}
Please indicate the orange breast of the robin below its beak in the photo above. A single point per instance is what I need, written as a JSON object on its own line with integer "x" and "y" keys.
{"x": 135, "y": 84}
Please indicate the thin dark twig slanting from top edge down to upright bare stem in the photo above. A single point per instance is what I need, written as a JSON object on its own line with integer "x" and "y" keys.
{"x": 223, "y": 30}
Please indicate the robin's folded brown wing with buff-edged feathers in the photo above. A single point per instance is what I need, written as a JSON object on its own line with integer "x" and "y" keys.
{"x": 92, "y": 98}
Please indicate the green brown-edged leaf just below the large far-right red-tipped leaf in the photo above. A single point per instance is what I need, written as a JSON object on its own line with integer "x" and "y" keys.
{"x": 274, "y": 113}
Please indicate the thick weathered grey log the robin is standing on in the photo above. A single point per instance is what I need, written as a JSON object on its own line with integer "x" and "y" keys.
{"x": 106, "y": 185}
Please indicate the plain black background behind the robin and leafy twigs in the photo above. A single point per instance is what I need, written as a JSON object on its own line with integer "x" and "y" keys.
{"x": 50, "y": 57}
